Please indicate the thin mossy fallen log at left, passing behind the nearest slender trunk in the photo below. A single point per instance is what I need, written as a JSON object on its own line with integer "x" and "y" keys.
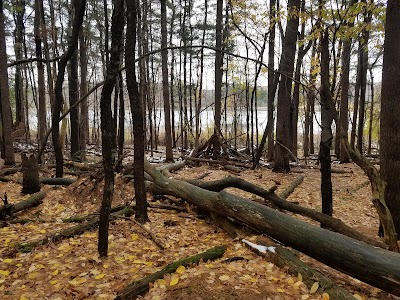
{"x": 59, "y": 235}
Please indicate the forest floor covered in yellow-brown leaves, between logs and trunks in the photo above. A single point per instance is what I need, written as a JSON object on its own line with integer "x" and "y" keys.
{"x": 71, "y": 268}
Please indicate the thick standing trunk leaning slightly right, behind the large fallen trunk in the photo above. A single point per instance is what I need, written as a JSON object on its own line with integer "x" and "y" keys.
{"x": 283, "y": 143}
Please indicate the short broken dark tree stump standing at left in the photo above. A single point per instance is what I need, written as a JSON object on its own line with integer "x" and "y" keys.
{"x": 30, "y": 171}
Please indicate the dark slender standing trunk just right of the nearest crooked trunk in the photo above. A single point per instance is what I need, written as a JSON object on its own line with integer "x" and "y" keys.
{"x": 137, "y": 112}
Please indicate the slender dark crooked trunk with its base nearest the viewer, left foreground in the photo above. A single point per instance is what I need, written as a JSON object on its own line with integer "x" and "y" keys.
{"x": 107, "y": 127}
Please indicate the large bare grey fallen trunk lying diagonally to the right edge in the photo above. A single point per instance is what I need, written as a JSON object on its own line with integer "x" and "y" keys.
{"x": 376, "y": 266}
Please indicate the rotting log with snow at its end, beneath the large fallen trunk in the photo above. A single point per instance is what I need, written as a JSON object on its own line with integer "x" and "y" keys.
{"x": 283, "y": 257}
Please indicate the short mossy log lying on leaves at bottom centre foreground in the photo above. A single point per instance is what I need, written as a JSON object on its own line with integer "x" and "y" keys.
{"x": 141, "y": 286}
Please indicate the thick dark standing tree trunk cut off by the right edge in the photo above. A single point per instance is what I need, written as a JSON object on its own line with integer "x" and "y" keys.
{"x": 390, "y": 111}
